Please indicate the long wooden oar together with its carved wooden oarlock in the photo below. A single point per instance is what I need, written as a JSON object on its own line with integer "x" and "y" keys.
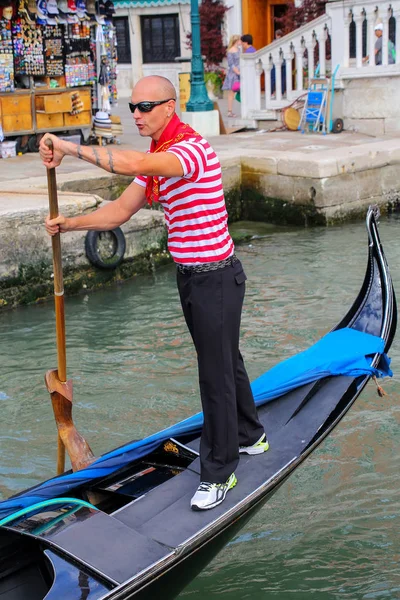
{"x": 56, "y": 380}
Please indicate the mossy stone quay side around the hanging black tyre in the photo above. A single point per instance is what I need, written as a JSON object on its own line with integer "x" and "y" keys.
{"x": 26, "y": 269}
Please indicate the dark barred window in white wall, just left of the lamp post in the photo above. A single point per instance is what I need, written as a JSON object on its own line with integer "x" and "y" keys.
{"x": 160, "y": 38}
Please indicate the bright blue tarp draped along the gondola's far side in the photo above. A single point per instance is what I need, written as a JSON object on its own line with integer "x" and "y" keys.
{"x": 341, "y": 352}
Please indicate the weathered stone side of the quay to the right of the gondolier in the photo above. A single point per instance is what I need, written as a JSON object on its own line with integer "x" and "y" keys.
{"x": 292, "y": 188}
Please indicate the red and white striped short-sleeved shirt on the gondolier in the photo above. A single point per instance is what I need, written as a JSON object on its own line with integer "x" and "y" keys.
{"x": 194, "y": 206}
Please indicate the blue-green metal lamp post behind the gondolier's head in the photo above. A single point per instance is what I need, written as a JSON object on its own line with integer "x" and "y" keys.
{"x": 199, "y": 100}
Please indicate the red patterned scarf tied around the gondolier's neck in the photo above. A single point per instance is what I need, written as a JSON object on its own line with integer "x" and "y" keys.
{"x": 175, "y": 132}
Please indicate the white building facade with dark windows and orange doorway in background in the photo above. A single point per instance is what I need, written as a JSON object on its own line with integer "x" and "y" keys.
{"x": 152, "y": 34}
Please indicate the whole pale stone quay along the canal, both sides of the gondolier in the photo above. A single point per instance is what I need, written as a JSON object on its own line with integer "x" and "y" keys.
{"x": 279, "y": 177}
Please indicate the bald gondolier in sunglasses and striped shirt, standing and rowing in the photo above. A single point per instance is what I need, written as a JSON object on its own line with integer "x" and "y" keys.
{"x": 183, "y": 174}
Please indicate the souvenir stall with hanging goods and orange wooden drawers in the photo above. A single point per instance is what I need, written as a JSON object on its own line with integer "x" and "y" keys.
{"x": 58, "y": 68}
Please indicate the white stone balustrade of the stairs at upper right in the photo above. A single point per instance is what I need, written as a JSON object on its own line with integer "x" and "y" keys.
{"x": 287, "y": 64}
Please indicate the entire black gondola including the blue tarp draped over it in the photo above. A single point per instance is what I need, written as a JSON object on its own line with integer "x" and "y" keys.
{"x": 122, "y": 527}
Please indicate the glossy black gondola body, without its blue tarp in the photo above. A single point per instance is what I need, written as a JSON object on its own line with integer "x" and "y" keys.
{"x": 145, "y": 542}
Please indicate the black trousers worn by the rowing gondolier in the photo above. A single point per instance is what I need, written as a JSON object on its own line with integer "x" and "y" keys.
{"x": 212, "y": 305}
